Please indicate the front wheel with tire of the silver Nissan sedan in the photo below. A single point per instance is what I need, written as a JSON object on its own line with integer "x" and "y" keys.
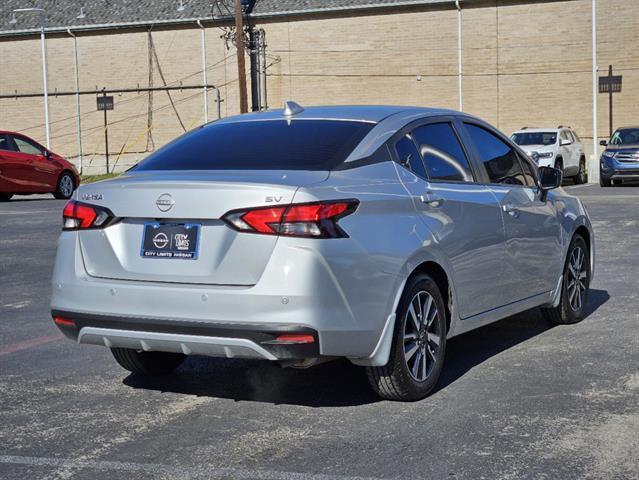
{"x": 574, "y": 286}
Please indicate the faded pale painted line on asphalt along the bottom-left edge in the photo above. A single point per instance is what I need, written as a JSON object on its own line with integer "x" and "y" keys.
{"x": 174, "y": 472}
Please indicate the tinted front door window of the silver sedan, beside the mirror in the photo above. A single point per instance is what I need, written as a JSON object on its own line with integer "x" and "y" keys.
{"x": 499, "y": 159}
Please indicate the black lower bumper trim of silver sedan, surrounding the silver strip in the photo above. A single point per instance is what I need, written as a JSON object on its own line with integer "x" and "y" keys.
{"x": 259, "y": 334}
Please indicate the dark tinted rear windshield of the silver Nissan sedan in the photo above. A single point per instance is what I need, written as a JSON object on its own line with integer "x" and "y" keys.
{"x": 261, "y": 145}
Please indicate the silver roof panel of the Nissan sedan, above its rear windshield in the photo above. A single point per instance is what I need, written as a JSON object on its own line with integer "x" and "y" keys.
{"x": 361, "y": 113}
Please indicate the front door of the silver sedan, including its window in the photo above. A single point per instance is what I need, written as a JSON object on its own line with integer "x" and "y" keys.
{"x": 533, "y": 238}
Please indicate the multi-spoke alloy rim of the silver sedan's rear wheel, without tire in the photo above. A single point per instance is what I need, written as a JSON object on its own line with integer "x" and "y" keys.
{"x": 422, "y": 336}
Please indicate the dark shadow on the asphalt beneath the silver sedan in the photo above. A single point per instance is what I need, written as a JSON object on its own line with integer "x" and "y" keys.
{"x": 338, "y": 383}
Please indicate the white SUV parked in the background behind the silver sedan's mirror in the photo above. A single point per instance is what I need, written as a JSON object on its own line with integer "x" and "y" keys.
{"x": 555, "y": 147}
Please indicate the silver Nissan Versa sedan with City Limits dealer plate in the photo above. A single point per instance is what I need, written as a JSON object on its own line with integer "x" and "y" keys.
{"x": 299, "y": 235}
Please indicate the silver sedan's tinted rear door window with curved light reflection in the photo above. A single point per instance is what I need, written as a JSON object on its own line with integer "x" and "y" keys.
{"x": 443, "y": 155}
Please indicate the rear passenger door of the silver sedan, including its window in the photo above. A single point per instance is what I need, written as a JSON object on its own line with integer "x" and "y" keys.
{"x": 463, "y": 216}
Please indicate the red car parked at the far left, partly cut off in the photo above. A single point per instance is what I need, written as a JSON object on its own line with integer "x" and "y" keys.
{"x": 27, "y": 167}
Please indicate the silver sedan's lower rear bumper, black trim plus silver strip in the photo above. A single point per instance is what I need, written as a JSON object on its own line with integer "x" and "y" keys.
{"x": 189, "y": 338}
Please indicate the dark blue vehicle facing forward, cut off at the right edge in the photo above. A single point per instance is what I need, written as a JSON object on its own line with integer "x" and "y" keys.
{"x": 620, "y": 159}
